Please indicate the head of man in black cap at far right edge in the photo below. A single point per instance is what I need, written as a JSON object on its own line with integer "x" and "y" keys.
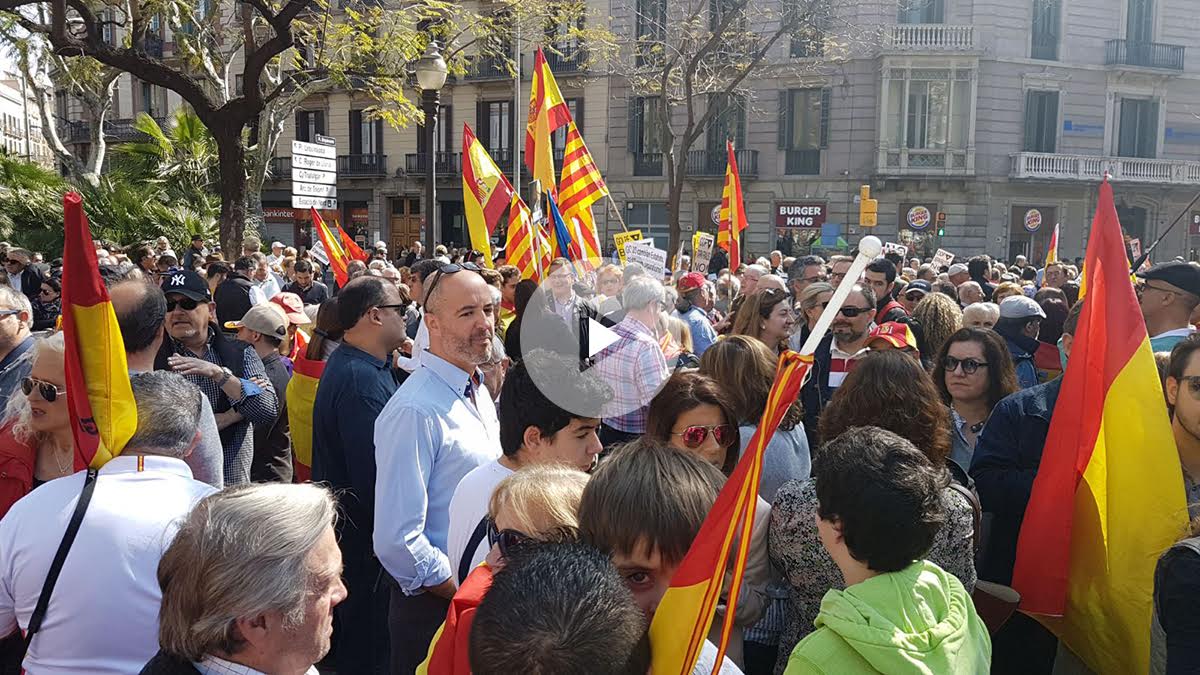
{"x": 1169, "y": 294}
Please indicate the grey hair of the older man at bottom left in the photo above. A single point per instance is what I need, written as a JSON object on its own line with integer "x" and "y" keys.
{"x": 239, "y": 554}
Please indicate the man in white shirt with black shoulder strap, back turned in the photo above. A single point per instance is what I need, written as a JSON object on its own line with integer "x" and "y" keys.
{"x": 109, "y": 581}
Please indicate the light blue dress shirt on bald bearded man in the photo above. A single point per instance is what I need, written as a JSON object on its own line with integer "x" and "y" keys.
{"x": 437, "y": 428}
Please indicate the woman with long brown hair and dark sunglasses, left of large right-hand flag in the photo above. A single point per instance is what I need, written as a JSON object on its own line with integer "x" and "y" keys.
{"x": 974, "y": 373}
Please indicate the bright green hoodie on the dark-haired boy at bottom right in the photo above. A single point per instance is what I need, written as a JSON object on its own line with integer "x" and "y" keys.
{"x": 917, "y": 620}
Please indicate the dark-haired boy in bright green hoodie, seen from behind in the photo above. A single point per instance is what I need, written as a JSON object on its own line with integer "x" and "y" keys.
{"x": 879, "y": 511}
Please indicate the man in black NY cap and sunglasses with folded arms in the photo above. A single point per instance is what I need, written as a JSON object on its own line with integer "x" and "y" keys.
{"x": 230, "y": 373}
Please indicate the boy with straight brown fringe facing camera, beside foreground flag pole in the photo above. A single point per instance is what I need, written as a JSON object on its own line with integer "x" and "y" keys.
{"x": 644, "y": 506}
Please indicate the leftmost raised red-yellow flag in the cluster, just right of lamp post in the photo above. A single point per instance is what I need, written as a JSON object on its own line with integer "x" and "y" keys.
{"x": 487, "y": 193}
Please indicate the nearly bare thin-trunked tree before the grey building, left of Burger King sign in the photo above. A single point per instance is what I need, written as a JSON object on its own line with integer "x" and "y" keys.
{"x": 686, "y": 52}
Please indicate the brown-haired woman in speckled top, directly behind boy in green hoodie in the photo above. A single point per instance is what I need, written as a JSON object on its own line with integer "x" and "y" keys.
{"x": 893, "y": 392}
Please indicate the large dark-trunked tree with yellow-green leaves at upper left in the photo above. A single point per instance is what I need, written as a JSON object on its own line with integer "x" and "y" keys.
{"x": 285, "y": 50}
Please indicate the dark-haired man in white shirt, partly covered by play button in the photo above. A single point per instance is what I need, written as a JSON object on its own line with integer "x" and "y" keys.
{"x": 533, "y": 431}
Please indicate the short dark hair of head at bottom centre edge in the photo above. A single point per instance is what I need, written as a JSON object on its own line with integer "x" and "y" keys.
{"x": 559, "y": 608}
